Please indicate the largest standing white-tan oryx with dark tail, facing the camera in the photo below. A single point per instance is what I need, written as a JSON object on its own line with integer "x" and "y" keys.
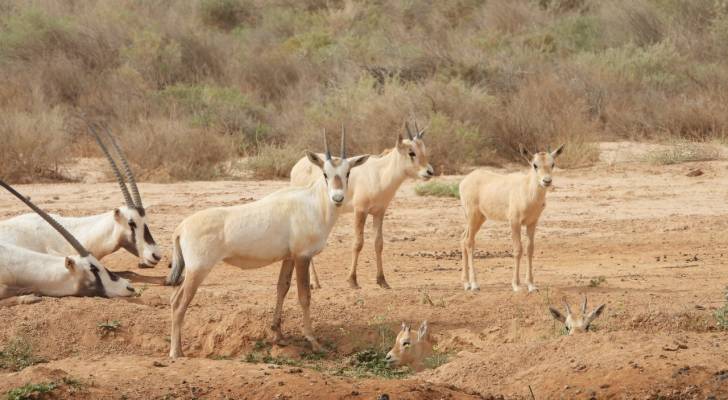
{"x": 291, "y": 225}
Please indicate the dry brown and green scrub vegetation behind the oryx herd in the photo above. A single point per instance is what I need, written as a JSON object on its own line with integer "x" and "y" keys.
{"x": 189, "y": 84}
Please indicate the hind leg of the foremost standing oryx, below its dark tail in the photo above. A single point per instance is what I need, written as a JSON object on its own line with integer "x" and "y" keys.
{"x": 181, "y": 299}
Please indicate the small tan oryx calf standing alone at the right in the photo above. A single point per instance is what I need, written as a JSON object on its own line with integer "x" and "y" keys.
{"x": 516, "y": 198}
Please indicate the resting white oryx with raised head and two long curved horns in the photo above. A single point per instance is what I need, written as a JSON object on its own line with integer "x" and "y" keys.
{"x": 103, "y": 234}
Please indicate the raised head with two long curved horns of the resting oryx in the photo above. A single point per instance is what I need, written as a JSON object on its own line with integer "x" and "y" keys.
{"x": 131, "y": 223}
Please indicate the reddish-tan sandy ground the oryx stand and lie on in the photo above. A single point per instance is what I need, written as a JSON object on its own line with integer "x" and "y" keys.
{"x": 655, "y": 236}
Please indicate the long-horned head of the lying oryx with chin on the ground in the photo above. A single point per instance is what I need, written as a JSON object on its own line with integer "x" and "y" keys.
{"x": 90, "y": 277}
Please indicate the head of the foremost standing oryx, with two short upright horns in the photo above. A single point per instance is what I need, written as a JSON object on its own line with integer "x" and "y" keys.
{"x": 336, "y": 170}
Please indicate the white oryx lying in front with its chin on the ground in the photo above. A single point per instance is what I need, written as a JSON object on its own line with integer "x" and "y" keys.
{"x": 26, "y": 274}
